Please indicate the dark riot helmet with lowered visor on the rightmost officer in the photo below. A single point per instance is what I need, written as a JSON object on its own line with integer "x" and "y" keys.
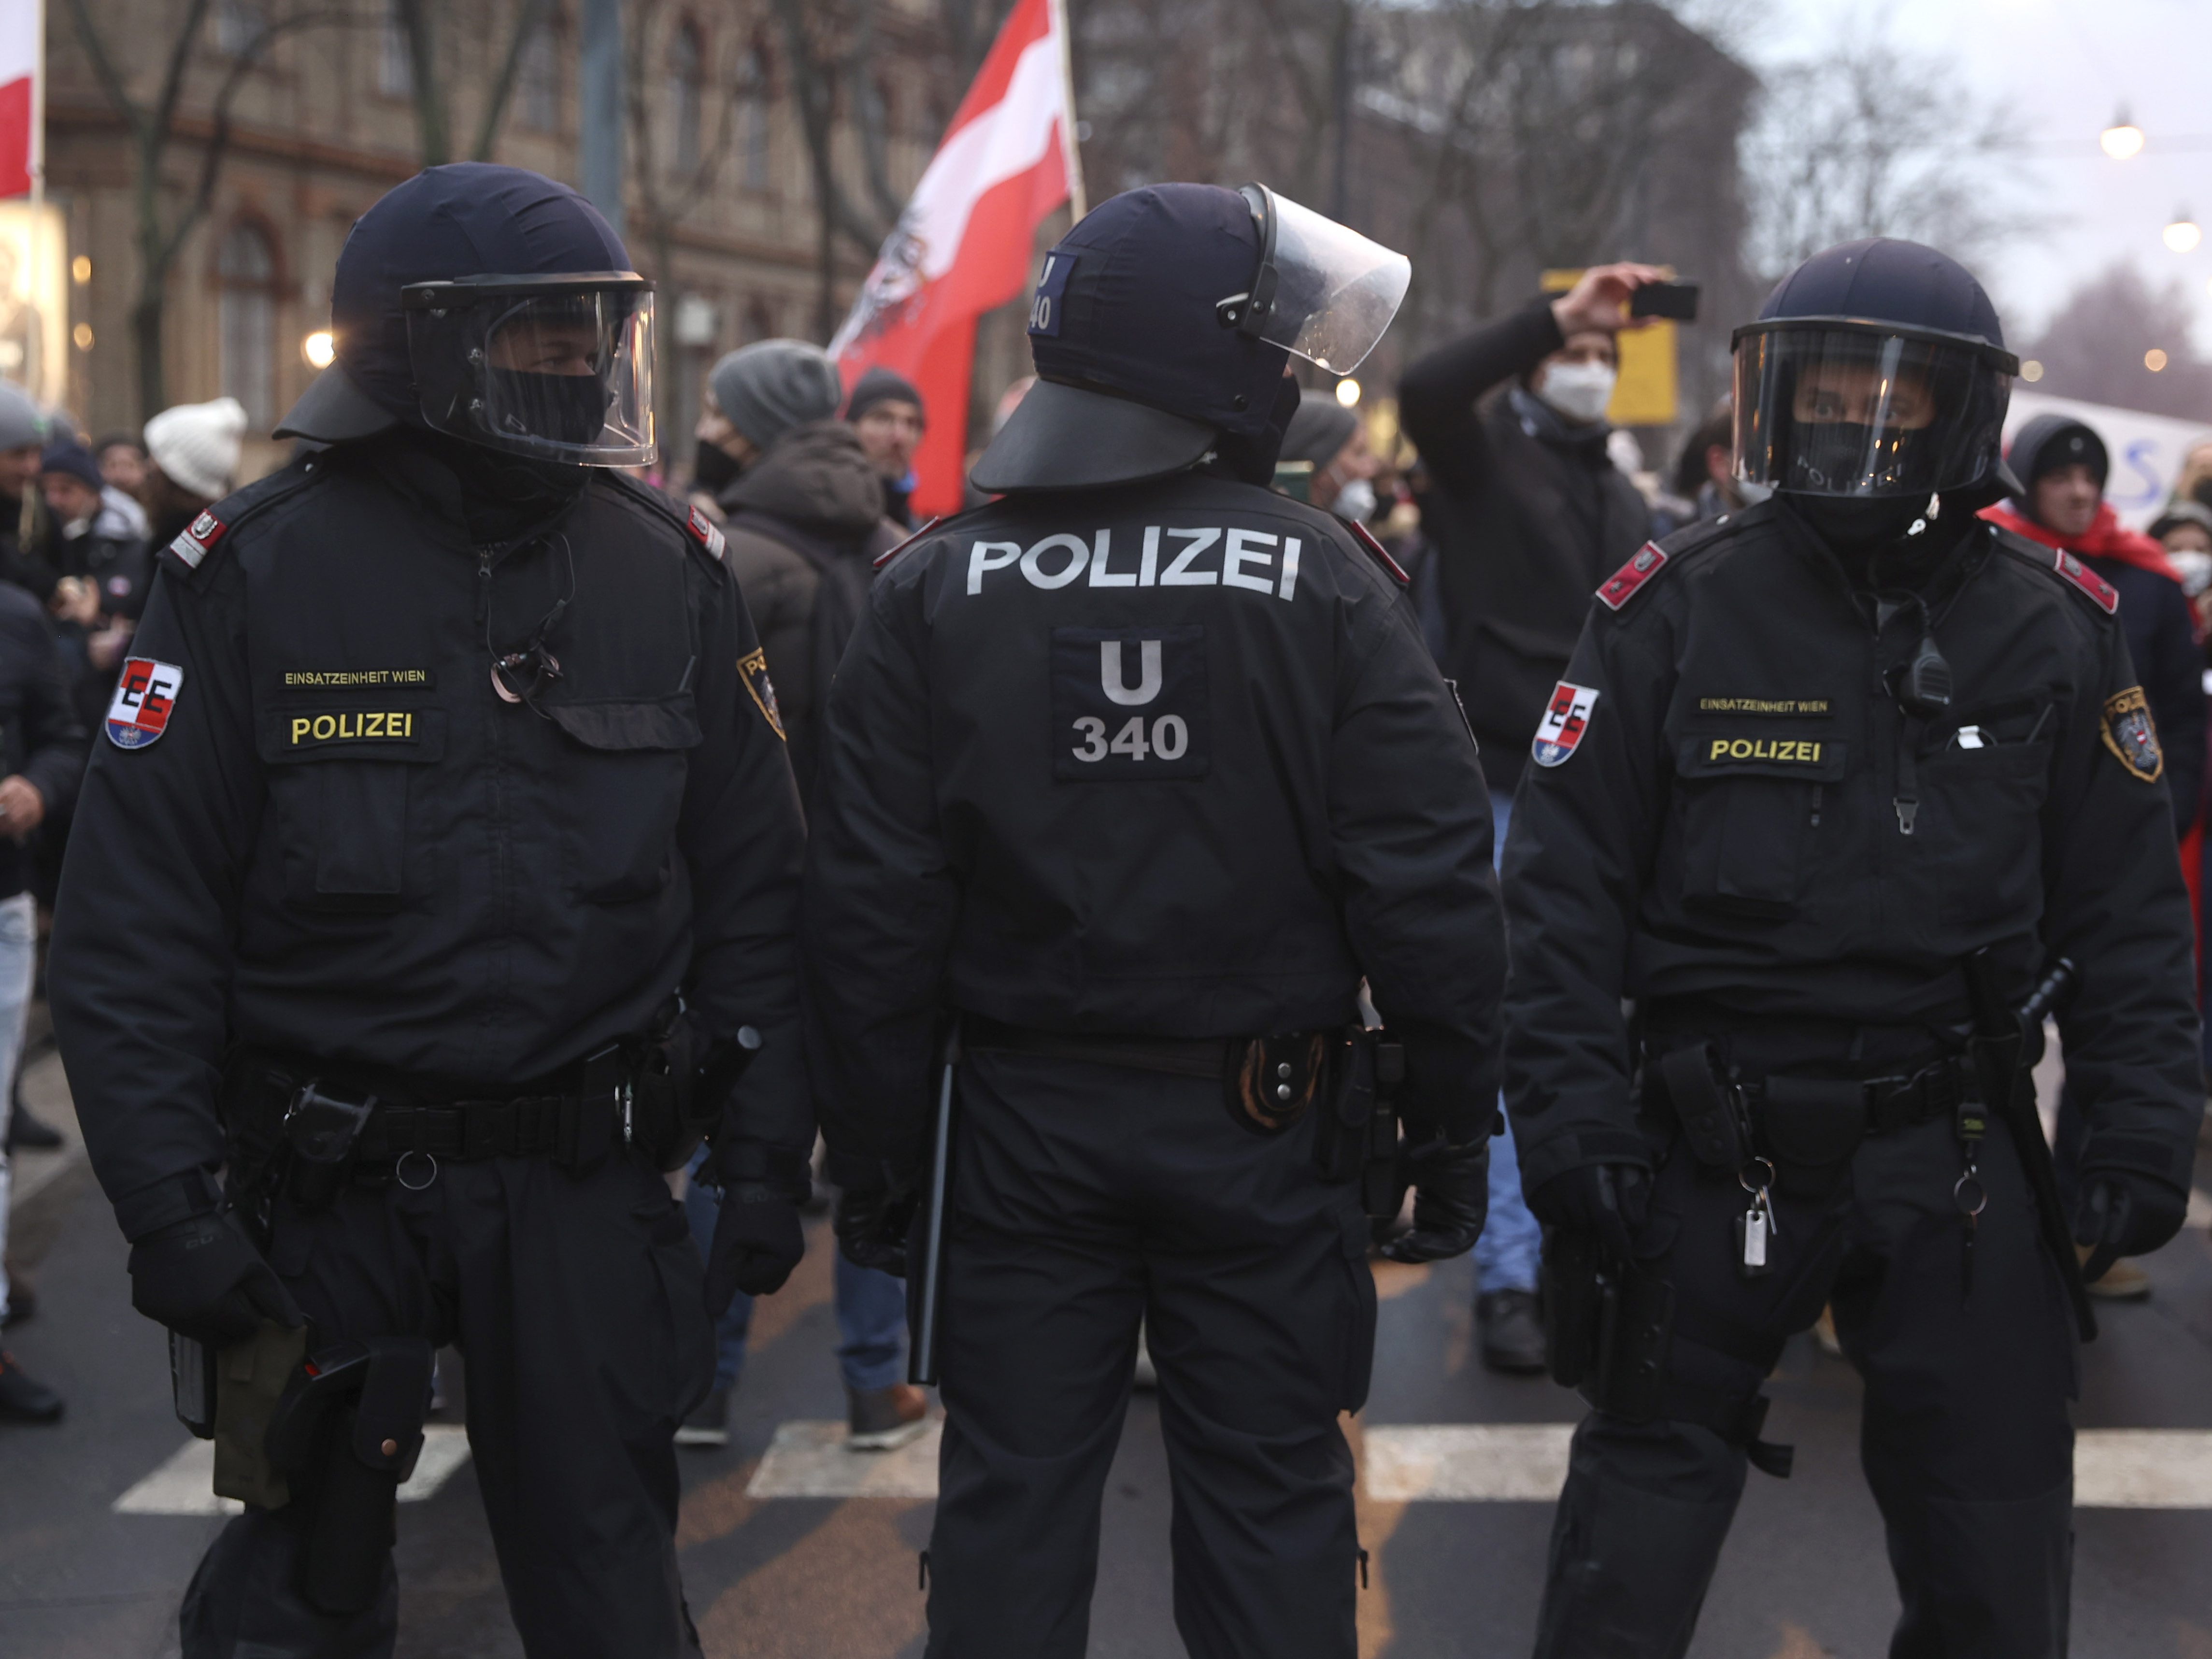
{"x": 1875, "y": 371}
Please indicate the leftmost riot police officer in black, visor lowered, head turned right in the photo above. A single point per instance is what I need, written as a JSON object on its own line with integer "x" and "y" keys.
{"x": 435, "y": 884}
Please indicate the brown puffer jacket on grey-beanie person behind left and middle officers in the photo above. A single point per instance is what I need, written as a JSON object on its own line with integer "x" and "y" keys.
{"x": 804, "y": 528}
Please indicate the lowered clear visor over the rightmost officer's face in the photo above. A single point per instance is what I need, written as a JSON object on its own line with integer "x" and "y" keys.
{"x": 1857, "y": 410}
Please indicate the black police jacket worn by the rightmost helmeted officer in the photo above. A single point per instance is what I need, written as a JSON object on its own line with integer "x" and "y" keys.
{"x": 1744, "y": 828}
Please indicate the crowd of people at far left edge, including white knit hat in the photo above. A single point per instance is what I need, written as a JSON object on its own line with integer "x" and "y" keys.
{"x": 79, "y": 525}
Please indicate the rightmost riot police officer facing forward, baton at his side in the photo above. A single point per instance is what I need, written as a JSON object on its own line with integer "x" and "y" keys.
{"x": 1835, "y": 786}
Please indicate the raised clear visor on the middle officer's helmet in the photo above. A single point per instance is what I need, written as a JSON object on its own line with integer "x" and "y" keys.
{"x": 1333, "y": 289}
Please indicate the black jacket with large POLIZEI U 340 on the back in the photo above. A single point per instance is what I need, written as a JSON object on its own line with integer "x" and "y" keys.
{"x": 1162, "y": 760}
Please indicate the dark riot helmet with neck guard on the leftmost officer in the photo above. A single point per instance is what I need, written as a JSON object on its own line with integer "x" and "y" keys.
{"x": 497, "y": 306}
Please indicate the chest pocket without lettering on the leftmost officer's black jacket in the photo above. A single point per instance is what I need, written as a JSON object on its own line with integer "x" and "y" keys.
{"x": 627, "y": 793}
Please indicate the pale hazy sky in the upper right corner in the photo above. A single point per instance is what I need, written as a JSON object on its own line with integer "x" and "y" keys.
{"x": 2063, "y": 67}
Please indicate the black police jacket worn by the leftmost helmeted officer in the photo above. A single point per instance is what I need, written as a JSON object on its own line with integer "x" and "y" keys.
{"x": 324, "y": 833}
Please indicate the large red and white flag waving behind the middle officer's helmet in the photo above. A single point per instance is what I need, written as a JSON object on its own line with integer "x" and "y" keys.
{"x": 963, "y": 242}
